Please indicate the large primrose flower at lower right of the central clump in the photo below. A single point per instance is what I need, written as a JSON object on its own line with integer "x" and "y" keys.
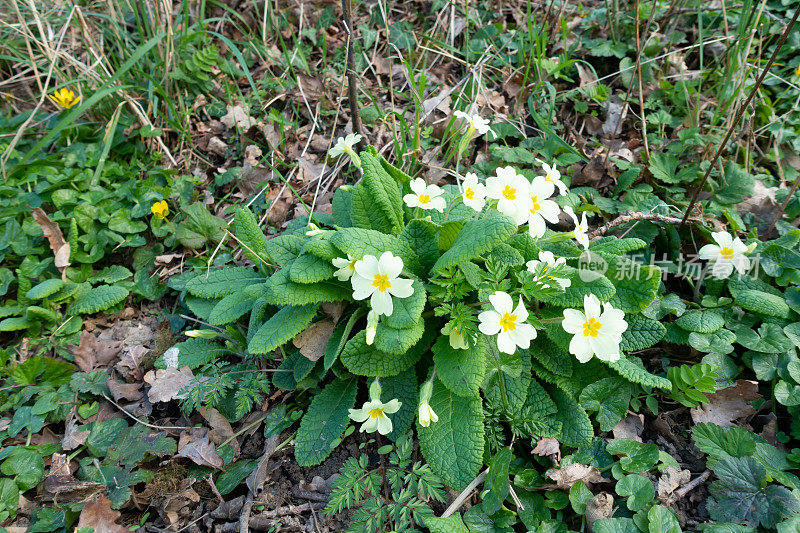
{"x": 595, "y": 333}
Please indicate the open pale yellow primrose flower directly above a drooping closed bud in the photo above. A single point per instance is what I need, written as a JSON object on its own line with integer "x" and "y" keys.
{"x": 378, "y": 279}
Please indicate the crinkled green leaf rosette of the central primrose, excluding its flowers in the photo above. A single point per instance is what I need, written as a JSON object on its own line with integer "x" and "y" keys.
{"x": 456, "y": 259}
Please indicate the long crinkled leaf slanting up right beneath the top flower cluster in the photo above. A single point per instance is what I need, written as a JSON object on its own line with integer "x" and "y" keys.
{"x": 476, "y": 238}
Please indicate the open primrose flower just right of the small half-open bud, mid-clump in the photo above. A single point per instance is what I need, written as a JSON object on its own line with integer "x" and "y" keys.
{"x": 507, "y": 322}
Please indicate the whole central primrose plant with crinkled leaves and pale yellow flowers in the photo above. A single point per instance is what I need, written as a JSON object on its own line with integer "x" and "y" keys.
{"x": 457, "y": 310}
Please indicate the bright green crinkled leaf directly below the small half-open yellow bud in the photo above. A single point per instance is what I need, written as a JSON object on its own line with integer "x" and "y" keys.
{"x": 461, "y": 371}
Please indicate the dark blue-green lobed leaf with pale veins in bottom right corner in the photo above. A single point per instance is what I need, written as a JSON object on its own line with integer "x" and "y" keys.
{"x": 742, "y": 494}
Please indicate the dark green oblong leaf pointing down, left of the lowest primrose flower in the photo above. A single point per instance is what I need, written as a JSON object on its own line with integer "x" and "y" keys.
{"x": 324, "y": 422}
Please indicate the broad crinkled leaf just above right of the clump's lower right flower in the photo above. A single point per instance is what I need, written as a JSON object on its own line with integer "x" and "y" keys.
{"x": 637, "y": 285}
